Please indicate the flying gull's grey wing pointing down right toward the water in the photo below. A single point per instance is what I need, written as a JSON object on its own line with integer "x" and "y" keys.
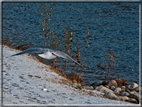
{"x": 63, "y": 55}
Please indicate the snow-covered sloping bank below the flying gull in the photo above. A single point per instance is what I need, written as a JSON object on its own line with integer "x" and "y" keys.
{"x": 27, "y": 81}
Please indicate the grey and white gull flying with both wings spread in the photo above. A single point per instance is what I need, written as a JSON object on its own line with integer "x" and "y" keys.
{"x": 47, "y": 53}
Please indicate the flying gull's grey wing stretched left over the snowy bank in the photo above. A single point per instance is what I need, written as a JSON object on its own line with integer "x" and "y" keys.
{"x": 31, "y": 50}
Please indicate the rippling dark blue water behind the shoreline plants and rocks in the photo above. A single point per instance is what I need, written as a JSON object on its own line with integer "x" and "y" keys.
{"x": 112, "y": 26}
